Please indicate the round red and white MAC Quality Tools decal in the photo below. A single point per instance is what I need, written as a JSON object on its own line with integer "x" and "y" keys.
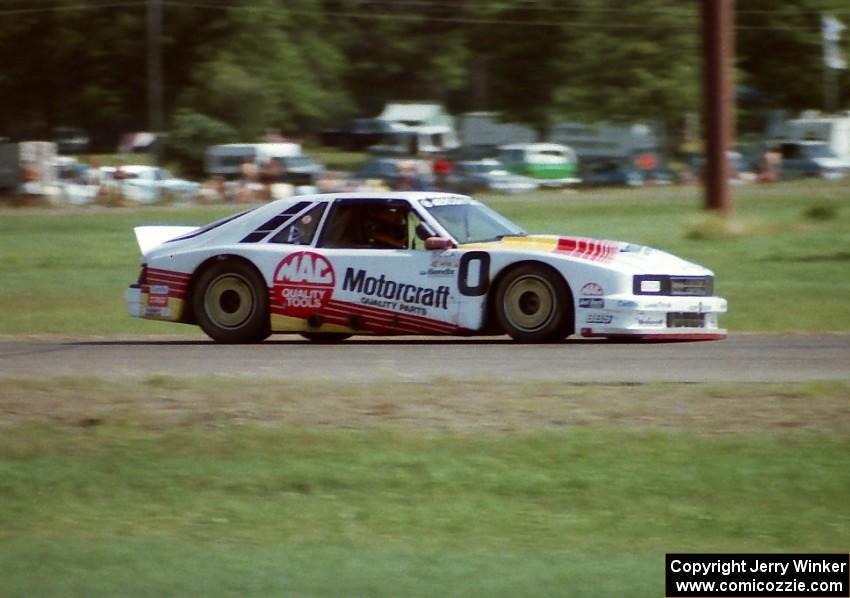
{"x": 303, "y": 283}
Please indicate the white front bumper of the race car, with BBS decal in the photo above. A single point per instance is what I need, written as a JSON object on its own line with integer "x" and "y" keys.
{"x": 651, "y": 317}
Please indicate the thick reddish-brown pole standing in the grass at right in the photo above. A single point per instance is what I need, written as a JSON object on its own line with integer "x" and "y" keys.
{"x": 718, "y": 92}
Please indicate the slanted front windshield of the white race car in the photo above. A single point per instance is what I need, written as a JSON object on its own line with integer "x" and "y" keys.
{"x": 468, "y": 221}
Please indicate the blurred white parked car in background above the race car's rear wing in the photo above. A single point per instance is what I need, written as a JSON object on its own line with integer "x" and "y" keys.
{"x": 147, "y": 184}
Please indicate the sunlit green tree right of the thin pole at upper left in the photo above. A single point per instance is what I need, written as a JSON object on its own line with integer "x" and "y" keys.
{"x": 271, "y": 68}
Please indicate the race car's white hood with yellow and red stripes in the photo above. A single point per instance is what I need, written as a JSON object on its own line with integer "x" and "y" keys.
{"x": 618, "y": 255}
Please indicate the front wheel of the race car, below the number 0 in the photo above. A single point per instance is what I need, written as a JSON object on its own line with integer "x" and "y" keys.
{"x": 534, "y": 305}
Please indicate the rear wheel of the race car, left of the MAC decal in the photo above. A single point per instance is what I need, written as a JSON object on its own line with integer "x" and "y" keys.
{"x": 231, "y": 303}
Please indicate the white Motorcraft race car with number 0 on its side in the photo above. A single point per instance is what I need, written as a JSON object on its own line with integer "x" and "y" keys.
{"x": 331, "y": 266}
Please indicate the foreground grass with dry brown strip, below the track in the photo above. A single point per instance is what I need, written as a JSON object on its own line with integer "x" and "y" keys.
{"x": 225, "y": 487}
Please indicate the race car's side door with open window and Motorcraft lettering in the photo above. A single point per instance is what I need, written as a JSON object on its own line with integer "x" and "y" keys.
{"x": 384, "y": 281}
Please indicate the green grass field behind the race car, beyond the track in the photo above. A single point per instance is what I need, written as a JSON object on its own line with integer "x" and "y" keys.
{"x": 65, "y": 272}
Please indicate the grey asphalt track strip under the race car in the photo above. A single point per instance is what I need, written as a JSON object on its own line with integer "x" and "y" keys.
{"x": 740, "y": 358}
